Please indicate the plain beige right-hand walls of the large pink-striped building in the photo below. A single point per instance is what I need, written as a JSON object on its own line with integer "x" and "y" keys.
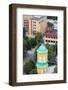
{"x": 39, "y": 25}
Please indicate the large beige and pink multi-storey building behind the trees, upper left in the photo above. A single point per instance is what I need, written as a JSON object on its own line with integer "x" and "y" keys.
{"x": 34, "y": 24}
